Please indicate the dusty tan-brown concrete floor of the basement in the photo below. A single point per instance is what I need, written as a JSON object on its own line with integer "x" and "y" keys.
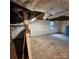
{"x": 47, "y": 47}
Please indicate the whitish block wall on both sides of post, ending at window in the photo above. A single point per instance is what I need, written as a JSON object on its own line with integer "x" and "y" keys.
{"x": 37, "y": 28}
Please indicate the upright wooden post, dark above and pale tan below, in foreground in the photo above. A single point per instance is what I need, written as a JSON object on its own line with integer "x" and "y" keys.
{"x": 27, "y": 35}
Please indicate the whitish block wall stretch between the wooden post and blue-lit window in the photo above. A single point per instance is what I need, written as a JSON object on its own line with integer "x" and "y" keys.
{"x": 40, "y": 28}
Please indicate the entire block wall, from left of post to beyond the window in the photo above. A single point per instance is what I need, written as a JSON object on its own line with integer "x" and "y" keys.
{"x": 41, "y": 28}
